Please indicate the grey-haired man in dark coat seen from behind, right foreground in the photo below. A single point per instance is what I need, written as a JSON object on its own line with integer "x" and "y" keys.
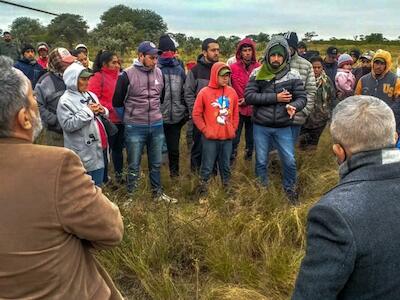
{"x": 353, "y": 239}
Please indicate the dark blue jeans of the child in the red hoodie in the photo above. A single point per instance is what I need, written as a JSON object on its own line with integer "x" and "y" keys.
{"x": 216, "y": 151}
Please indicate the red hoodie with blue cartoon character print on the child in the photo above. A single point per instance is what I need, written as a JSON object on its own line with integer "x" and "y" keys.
{"x": 215, "y": 111}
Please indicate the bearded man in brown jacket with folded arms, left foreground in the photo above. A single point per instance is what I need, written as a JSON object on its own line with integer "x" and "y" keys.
{"x": 52, "y": 216}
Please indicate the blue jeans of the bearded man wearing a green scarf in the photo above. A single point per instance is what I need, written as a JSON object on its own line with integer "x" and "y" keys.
{"x": 282, "y": 138}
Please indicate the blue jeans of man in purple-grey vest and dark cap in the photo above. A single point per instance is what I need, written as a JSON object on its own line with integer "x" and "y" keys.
{"x": 136, "y": 137}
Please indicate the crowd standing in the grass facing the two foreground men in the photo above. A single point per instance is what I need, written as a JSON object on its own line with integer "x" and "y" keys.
{"x": 283, "y": 99}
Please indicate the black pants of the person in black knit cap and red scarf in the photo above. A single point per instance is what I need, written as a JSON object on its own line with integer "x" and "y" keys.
{"x": 172, "y": 134}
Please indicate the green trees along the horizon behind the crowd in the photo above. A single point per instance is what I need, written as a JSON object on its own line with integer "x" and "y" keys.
{"x": 122, "y": 27}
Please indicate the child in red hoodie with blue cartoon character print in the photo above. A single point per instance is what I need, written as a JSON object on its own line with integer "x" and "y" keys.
{"x": 216, "y": 115}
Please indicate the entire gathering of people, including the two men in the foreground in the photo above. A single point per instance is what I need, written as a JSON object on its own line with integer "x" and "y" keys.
{"x": 92, "y": 111}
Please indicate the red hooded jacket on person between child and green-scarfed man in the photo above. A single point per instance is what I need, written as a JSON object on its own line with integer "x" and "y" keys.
{"x": 241, "y": 74}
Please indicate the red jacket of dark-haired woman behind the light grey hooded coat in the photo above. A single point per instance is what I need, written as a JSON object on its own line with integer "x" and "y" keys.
{"x": 103, "y": 85}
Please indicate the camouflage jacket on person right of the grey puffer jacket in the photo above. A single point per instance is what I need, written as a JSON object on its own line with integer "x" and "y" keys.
{"x": 324, "y": 98}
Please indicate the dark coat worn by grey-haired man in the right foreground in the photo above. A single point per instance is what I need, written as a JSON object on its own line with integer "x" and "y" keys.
{"x": 353, "y": 236}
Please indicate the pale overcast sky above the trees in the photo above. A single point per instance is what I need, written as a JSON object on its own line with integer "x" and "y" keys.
{"x": 210, "y": 18}
